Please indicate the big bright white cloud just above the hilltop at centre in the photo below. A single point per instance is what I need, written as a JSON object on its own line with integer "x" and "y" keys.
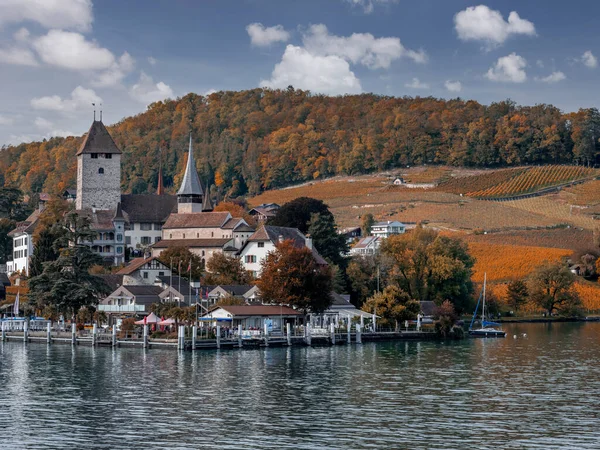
{"x": 300, "y": 68}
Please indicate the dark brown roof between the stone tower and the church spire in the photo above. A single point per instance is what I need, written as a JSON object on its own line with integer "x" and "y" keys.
{"x": 148, "y": 208}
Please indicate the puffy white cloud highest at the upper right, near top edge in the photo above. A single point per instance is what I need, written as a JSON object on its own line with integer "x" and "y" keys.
{"x": 480, "y": 23}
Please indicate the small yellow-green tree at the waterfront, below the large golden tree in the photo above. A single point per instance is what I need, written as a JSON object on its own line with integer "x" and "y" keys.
{"x": 393, "y": 306}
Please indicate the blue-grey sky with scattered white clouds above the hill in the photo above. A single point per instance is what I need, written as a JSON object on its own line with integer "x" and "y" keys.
{"x": 57, "y": 57}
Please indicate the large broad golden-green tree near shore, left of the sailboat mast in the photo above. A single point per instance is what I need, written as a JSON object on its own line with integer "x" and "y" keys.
{"x": 431, "y": 267}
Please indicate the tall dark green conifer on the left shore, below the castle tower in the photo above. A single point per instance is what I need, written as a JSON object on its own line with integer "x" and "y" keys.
{"x": 66, "y": 283}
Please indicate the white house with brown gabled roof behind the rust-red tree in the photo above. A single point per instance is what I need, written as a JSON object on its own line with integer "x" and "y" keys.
{"x": 264, "y": 240}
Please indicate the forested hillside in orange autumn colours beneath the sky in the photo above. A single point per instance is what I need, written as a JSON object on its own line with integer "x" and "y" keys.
{"x": 259, "y": 139}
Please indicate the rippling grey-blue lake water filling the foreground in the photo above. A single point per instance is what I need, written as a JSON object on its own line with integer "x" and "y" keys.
{"x": 539, "y": 391}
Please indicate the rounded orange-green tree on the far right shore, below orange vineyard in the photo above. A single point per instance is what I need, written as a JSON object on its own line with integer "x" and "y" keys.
{"x": 551, "y": 287}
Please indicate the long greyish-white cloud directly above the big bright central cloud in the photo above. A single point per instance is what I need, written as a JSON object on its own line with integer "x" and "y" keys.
{"x": 359, "y": 48}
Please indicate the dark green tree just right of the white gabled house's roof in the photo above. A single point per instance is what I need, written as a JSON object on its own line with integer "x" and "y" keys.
{"x": 330, "y": 244}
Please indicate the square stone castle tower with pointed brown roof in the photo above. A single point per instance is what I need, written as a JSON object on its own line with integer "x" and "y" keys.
{"x": 98, "y": 170}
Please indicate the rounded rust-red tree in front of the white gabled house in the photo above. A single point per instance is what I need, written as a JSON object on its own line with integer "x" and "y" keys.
{"x": 291, "y": 276}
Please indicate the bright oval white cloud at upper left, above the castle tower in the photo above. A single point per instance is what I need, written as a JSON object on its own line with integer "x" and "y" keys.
{"x": 72, "y": 51}
